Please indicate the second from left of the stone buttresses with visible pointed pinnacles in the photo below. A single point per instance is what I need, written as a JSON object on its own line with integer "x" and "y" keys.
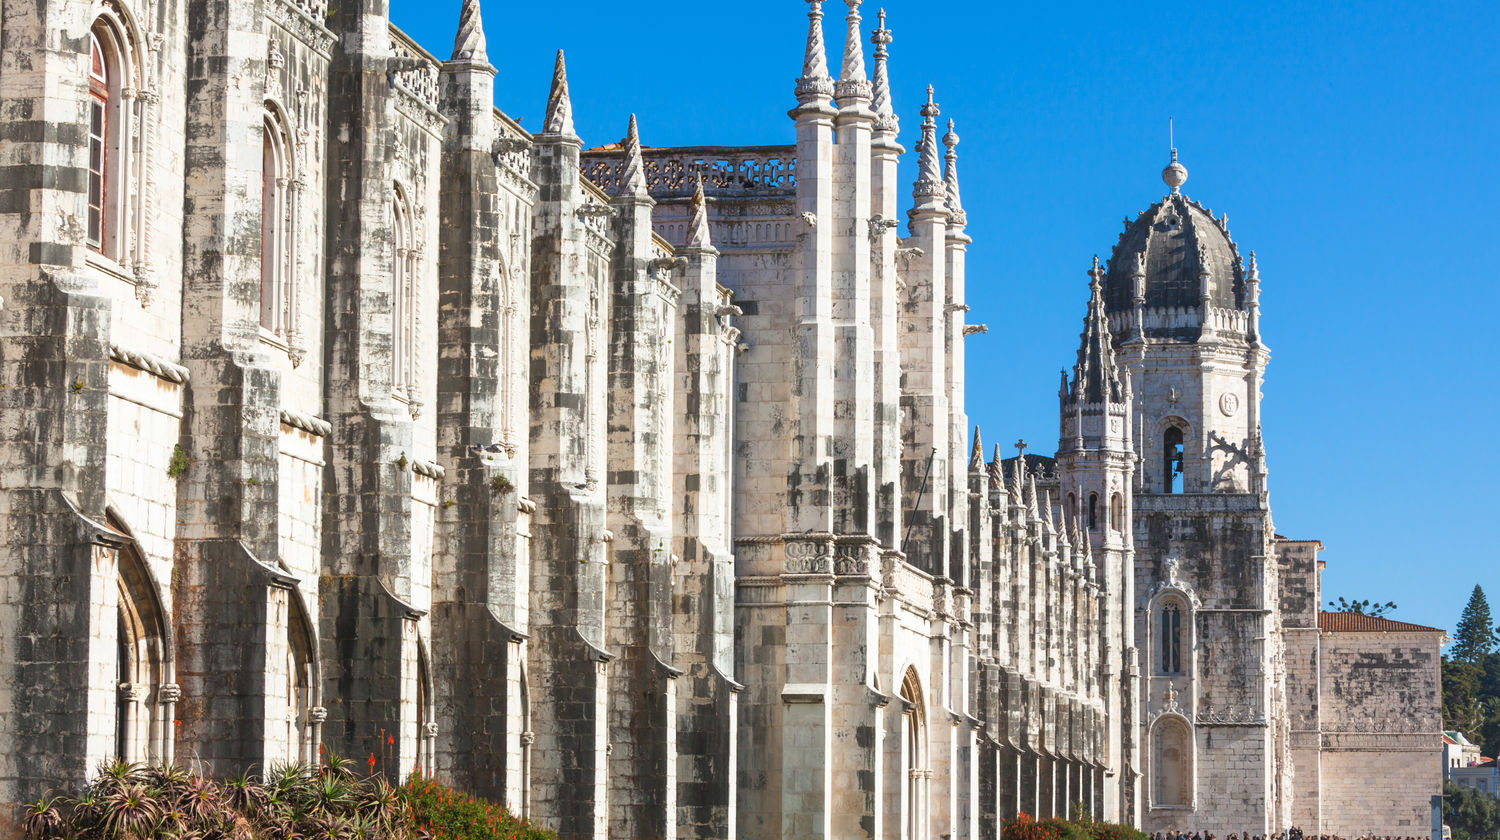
{"x": 569, "y": 547}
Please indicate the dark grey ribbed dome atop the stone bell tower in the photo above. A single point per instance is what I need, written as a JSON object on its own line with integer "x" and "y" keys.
{"x": 1174, "y": 241}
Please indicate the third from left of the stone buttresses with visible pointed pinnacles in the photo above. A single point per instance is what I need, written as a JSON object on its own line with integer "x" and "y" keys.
{"x": 638, "y": 605}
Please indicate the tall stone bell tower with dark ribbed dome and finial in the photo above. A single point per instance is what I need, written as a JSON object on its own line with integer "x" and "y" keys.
{"x": 1183, "y": 311}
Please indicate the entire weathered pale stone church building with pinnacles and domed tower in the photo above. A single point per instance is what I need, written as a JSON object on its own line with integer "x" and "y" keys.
{"x": 629, "y": 487}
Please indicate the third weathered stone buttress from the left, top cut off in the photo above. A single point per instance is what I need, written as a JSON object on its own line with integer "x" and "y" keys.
{"x": 376, "y": 580}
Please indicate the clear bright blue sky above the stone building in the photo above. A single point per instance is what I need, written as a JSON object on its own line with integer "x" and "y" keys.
{"x": 1354, "y": 146}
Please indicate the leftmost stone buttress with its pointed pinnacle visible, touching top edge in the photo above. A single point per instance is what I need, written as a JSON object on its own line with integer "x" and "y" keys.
{"x": 481, "y": 569}
